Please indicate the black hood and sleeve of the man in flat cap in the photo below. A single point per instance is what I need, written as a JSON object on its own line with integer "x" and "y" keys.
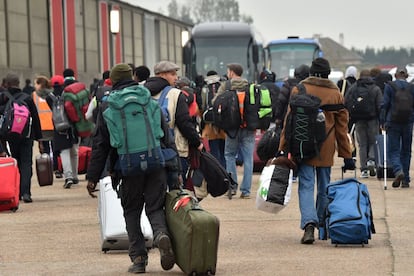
{"x": 182, "y": 117}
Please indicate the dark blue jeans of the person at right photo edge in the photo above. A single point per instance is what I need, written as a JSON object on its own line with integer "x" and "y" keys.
{"x": 399, "y": 147}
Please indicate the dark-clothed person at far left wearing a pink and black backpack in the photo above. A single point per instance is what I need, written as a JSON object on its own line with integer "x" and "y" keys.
{"x": 21, "y": 148}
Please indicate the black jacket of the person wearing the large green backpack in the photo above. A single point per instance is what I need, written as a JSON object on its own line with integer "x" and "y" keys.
{"x": 101, "y": 147}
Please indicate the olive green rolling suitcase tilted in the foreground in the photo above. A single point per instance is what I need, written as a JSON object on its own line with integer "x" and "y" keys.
{"x": 194, "y": 233}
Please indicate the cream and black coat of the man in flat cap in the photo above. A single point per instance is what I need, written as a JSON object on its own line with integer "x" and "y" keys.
{"x": 185, "y": 133}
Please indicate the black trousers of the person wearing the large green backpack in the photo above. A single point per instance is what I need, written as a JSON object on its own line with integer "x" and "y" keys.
{"x": 149, "y": 188}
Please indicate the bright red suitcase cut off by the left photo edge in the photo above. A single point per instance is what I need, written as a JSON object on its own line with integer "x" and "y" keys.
{"x": 9, "y": 184}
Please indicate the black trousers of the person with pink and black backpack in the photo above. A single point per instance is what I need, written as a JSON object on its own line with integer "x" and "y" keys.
{"x": 22, "y": 151}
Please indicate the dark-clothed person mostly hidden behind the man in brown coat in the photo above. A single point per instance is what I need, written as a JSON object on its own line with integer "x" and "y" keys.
{"x": 301, "y": 72}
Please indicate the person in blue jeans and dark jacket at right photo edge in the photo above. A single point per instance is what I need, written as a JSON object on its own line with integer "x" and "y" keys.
{"x": 399, "y": 134}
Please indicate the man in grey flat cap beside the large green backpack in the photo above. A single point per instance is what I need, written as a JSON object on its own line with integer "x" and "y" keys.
{"x": 185, "y": 132}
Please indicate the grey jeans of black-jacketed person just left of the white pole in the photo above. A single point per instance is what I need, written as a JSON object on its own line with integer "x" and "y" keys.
{"x": 366, "y": 132}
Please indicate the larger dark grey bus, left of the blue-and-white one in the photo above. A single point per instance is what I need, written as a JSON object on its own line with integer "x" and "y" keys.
{"x": 213, "y": 45}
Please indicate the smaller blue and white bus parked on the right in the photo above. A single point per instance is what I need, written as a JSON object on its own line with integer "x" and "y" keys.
{"x": 284, "y": 55}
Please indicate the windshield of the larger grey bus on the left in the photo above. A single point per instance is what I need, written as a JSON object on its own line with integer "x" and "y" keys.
{"x": 216, "y": 53}
